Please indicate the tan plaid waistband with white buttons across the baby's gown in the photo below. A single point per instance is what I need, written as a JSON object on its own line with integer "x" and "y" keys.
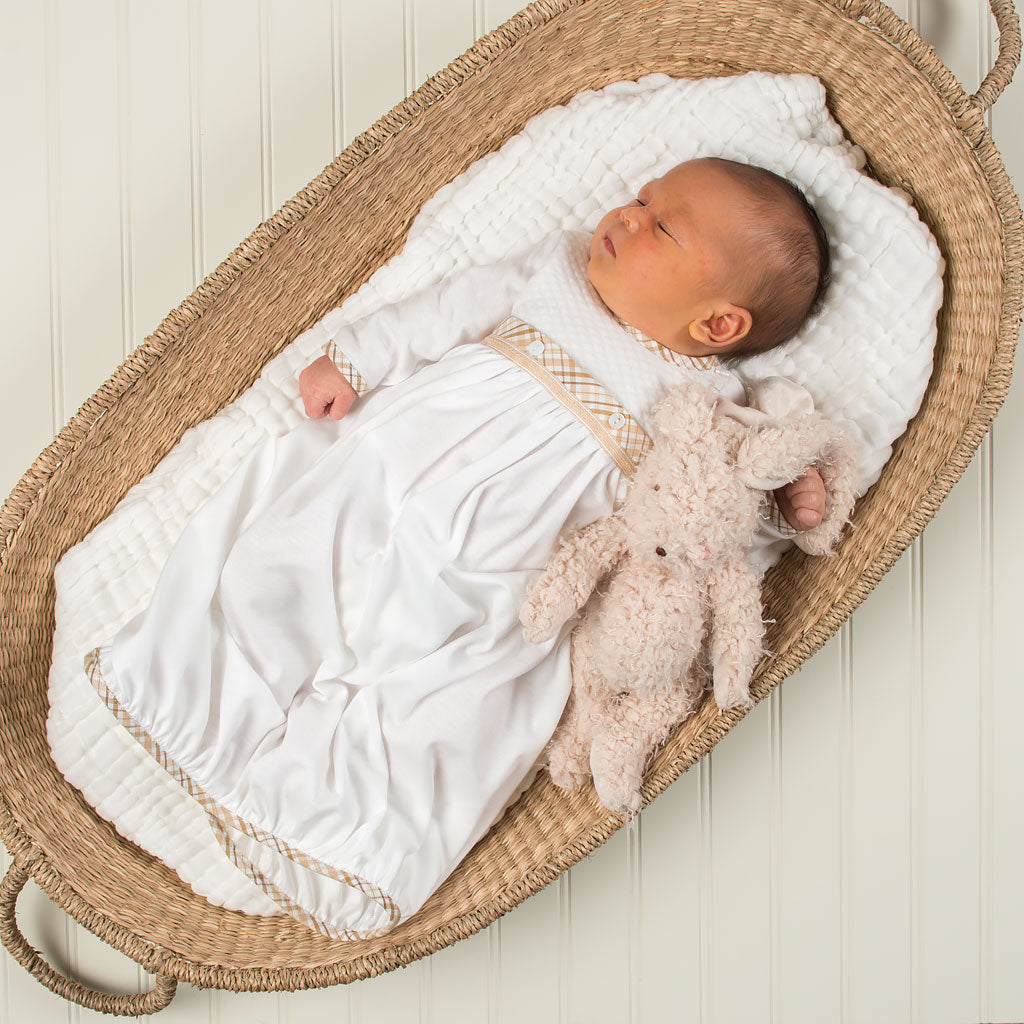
{"x": 618, "y": 432}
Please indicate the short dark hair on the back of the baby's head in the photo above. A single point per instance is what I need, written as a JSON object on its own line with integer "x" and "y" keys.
{"x": 789, "y": 269}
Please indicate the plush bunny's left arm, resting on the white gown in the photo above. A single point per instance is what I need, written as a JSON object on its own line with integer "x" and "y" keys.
{"x": 572, "y": 576}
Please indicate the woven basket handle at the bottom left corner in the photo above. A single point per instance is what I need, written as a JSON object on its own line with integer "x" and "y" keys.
{"x": 125, "y": 1006}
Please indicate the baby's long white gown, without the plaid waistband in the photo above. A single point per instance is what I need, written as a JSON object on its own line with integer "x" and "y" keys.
{"x": 332, "y": 661}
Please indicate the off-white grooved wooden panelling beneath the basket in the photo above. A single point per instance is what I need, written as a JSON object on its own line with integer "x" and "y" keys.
{"x": 850, "y": 854}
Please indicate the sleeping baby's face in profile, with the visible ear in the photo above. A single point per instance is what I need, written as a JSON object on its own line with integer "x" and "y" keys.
{"x": 665, "y": 263}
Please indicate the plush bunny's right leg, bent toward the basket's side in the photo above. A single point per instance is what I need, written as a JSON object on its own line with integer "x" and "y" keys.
{"x": 634, "y": 728}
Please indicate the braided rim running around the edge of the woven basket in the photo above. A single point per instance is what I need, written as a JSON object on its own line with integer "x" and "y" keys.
{"x": 965, "y": 115}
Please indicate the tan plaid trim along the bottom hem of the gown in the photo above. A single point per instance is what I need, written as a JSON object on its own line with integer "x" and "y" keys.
{"x": 222, "y": 819}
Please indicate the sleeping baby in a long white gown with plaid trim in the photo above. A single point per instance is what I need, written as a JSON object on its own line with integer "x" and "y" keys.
{"x": 332, "y": 660}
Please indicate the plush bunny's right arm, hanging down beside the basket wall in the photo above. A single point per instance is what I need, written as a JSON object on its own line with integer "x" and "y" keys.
{"x": 737, "y": 631}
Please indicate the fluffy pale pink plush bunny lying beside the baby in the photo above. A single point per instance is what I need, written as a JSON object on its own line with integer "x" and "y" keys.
{"x": 682, "y": 583}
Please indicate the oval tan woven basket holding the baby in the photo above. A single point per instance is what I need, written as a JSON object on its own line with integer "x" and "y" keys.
{"x": 935, "y": 145}
